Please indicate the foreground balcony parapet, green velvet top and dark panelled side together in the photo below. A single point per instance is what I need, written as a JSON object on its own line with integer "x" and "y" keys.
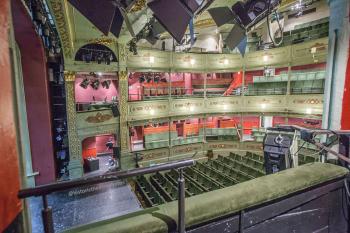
{"x": 309, "y": 196}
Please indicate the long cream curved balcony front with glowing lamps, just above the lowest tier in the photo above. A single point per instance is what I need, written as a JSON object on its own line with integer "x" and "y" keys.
{"x": 192, "y": 107}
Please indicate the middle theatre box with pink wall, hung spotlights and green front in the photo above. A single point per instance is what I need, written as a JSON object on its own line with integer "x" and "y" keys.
{"x": 96, "y": 101}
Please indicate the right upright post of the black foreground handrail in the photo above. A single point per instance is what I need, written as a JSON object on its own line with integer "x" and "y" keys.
{"x": 181, "y": 202}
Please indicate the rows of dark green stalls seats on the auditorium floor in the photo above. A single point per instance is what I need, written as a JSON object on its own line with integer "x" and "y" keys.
{"x": 224, "y": 171}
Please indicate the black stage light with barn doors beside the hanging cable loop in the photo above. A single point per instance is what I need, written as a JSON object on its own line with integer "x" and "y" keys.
{"x": 244, "y": 15}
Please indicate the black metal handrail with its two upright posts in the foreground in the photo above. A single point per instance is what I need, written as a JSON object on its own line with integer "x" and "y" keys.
{"x": 45, "y": 190}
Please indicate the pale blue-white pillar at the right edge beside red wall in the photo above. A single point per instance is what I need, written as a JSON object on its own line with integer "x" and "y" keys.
{"x": 338, "y": 49}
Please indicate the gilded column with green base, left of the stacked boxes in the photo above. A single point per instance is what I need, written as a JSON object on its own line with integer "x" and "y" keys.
{"x": 75, "y": 166}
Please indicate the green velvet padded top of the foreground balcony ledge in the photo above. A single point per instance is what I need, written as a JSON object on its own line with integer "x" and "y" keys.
{"x": 207, "y": 206}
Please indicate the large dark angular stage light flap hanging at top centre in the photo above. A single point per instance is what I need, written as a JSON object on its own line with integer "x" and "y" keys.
{"x": 175, "y": 15}
